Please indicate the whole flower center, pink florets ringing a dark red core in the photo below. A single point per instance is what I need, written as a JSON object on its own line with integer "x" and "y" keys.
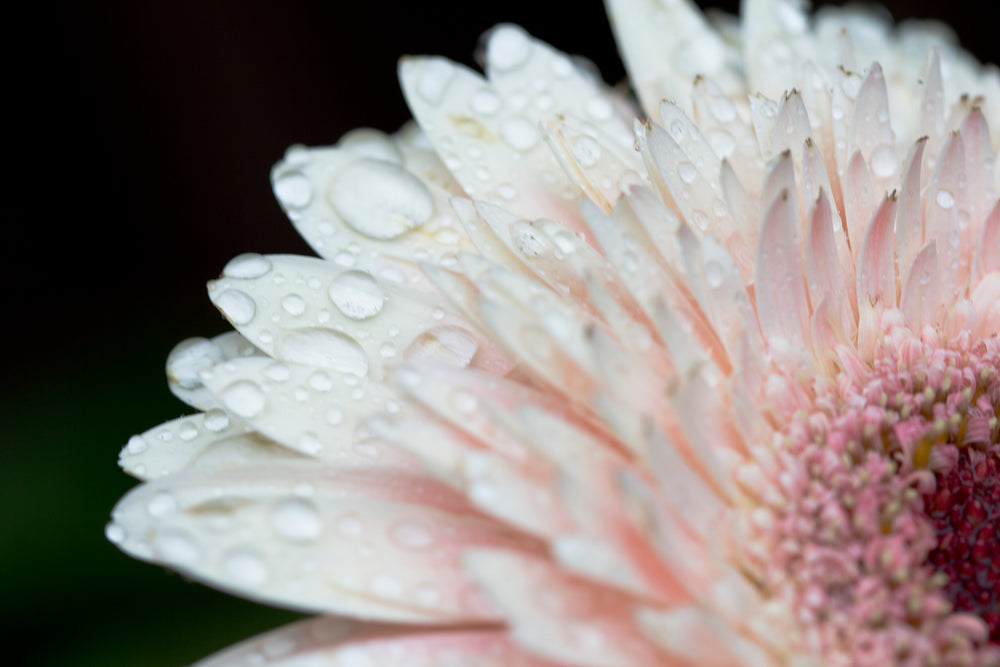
{"x": 878, "y": 513}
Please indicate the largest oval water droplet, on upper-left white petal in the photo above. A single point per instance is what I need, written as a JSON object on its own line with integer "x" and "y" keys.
{"x": 380, "y": 200}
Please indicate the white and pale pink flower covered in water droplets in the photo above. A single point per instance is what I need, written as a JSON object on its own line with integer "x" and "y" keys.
{"x": 716, "y": 387}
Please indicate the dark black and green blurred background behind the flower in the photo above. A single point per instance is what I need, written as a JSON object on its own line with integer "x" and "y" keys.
{"x": 141, "y": 146}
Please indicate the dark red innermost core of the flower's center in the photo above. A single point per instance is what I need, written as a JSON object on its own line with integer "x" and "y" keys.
{"x": 965, "y": 510}
